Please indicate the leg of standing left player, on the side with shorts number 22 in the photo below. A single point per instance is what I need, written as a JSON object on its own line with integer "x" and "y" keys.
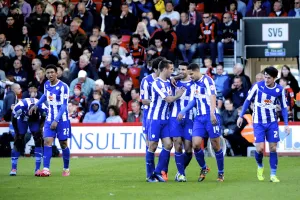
{"x": 63, "y": 134}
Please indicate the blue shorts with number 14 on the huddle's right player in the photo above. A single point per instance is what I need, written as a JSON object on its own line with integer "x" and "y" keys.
{"x": 204, "y": 128}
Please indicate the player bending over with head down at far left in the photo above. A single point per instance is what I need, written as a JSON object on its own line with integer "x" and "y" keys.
{"x": 21, "y": 122}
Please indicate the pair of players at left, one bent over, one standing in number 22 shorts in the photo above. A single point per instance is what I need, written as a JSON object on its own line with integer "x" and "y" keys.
{"x": 45, "y": 124}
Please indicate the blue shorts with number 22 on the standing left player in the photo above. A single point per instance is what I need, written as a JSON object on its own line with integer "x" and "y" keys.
{"x": 62, "y": 131}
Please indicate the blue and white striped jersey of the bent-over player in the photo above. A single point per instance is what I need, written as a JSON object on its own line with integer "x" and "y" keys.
{"x": 21, "y": 109}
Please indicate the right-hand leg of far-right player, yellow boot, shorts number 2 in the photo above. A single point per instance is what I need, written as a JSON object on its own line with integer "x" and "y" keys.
{"x": 272, "y": 137}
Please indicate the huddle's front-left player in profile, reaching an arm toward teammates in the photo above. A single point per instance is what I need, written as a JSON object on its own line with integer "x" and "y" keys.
{"x": 158, "y": 116}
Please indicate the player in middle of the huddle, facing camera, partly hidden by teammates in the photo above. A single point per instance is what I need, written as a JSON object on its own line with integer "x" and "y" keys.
{"x": 182, "y": 130}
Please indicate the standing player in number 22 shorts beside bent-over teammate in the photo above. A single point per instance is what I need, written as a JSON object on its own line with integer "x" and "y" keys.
{"x": 57, "y": 124}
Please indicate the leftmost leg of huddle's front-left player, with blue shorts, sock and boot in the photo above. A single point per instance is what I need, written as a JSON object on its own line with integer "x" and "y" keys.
{"x": 153, "y": 138}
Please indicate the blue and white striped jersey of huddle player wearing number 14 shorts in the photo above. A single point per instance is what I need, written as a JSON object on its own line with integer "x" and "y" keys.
{"x": 203, "y": 89}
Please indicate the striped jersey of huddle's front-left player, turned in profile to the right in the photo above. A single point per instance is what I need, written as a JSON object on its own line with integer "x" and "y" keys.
{"x": 159, "y": 108}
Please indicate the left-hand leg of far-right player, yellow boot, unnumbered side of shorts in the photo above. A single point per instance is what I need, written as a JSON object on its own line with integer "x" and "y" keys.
{"x": 259, "y": 134}
